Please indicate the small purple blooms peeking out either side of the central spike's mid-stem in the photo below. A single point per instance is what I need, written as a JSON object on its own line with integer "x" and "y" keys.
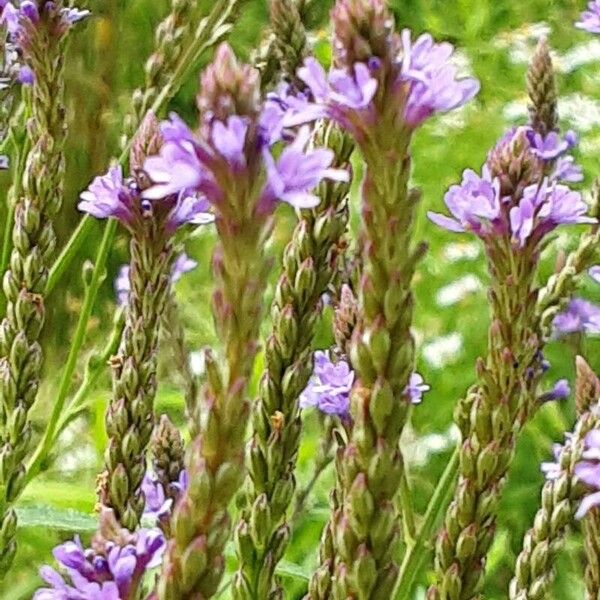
{"x": 331, "y": 383}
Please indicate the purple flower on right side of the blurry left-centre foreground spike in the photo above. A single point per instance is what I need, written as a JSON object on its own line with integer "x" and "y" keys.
{"x": 297, "y": 172}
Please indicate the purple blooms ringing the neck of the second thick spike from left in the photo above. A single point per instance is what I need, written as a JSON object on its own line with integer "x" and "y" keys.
{"x": 111, "y": 195}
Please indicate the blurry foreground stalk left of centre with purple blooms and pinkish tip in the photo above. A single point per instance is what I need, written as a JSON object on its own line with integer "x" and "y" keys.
{"x": 230, "y": 163}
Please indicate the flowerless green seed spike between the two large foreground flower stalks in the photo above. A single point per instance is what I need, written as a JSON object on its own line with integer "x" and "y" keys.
{"x": 309, "y": 265}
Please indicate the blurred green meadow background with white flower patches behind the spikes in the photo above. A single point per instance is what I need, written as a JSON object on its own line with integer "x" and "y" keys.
{"x": 495, "y": 39}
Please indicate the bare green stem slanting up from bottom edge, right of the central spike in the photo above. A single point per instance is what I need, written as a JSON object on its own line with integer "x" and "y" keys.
{"x": 415, "y": 556}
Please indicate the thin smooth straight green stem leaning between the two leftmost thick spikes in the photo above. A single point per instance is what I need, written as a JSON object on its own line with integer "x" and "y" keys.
{"x": 45, "y": 445}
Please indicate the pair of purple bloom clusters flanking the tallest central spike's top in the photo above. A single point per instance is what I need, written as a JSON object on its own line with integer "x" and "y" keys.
{"x": 425, "y": 83}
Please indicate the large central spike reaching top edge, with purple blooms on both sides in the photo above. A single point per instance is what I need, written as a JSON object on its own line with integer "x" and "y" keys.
{"x": 383, "y": 87}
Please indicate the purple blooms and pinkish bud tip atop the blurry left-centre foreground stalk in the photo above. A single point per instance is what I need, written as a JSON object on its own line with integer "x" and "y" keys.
{"x": 234, "y": 152}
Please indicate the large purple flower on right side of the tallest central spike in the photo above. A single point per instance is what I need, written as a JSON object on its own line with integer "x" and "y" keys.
{"x": 434, "y": 87}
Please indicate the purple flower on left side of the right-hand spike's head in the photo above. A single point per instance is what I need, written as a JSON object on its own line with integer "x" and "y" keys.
{"x": 474, "y": 205}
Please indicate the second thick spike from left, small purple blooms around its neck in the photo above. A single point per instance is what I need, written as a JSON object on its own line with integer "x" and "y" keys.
{"x": 130, "y": 417}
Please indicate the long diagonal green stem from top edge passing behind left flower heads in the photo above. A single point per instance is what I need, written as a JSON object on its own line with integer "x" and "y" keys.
{"x": 211, "y": 30}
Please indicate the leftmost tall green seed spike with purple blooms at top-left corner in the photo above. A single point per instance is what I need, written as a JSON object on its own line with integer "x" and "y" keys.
{"x": 39, "y": 30}
